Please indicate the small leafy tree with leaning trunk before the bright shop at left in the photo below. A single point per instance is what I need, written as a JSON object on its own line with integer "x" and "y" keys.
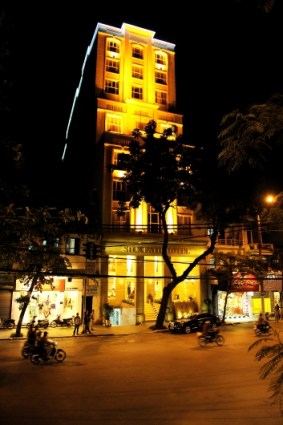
{"x": 30, "y": 247}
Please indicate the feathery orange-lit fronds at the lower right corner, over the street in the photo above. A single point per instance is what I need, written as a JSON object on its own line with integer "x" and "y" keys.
{"x": 273, "y": 367}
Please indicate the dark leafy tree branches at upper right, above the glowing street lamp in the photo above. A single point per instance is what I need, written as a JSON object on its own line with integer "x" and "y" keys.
{"x": 252, "y": 141}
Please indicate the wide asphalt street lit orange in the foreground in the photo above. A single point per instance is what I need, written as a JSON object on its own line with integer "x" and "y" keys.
{"x": 142, "y": 379}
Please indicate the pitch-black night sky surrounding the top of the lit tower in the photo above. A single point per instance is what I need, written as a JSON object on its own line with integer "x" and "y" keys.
{"x": 228, "y": 55}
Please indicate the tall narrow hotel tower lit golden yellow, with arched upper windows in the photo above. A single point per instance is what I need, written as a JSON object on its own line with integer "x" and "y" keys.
{"x": 128, "y": 79}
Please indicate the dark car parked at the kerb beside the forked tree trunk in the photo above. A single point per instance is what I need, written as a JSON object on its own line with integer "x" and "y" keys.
{"x": 193, "y": 324}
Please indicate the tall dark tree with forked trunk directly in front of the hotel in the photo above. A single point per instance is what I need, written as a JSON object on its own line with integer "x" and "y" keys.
{"x": 159, "y": 171}
